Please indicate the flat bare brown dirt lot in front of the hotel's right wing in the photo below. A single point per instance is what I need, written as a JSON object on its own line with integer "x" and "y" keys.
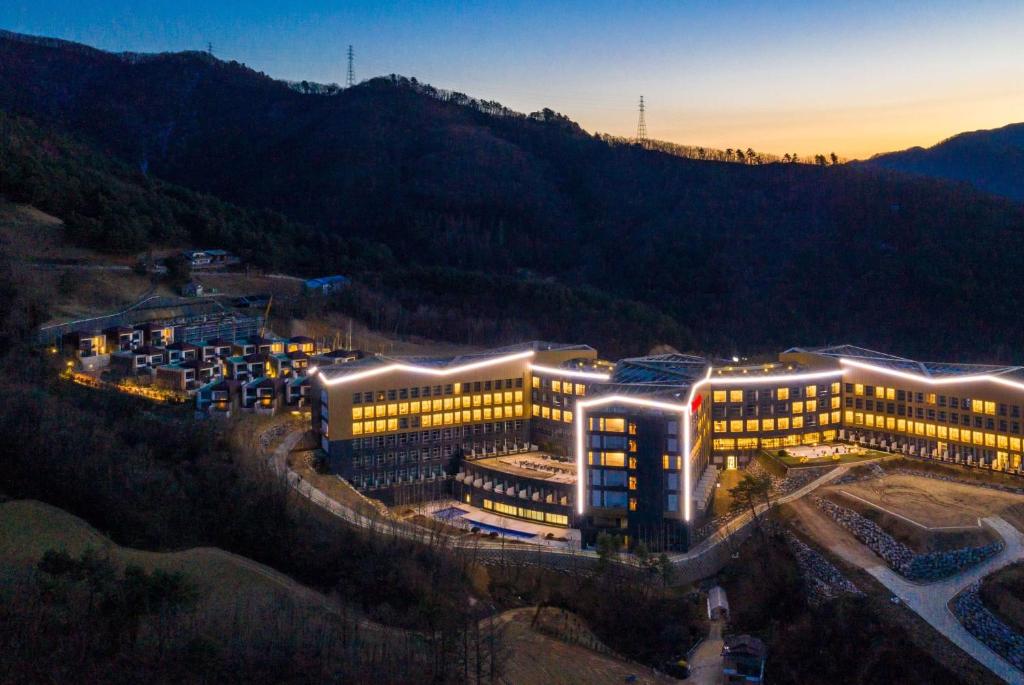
{"x": 925, "y": 513}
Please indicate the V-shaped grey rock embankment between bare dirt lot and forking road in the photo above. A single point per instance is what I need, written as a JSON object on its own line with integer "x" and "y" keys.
{"x": 903, "y": 560}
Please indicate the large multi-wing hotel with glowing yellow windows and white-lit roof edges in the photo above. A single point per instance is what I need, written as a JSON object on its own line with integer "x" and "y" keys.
{"x": 550, "y": 434}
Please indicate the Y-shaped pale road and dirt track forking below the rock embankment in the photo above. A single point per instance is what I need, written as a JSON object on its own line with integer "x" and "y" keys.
{"x": 930, "y": 602}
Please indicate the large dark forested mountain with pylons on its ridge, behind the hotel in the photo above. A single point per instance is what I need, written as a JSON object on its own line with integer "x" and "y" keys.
{"x": 745, "y": 258}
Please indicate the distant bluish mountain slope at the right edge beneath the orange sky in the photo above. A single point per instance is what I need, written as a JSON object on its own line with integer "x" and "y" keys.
{"x": 992, "y": 160}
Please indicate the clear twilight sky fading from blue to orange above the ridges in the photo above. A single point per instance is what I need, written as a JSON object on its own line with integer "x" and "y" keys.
{"x": 856, "y": 78}
